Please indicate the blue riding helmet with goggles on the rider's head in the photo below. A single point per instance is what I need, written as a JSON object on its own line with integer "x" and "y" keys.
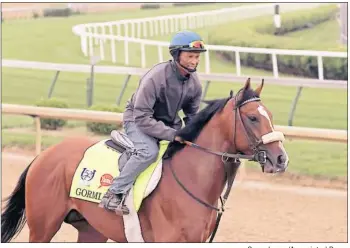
{"x": 186, "y": 41}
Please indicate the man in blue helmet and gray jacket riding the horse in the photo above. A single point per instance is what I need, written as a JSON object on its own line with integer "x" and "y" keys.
{"x": 151, "y": 114}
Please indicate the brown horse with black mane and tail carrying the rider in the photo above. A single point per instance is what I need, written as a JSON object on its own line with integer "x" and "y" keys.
{"x": 227, "y": 129}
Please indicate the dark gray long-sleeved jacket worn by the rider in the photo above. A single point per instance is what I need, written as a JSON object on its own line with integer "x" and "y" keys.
{"x": 161, "y": 94}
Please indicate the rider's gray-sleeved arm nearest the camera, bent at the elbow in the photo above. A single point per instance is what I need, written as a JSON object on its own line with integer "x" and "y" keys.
{"x": 143, "y": 112}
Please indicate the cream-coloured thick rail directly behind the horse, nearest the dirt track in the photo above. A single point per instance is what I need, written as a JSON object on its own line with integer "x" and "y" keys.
{"x": 109, "y": 117}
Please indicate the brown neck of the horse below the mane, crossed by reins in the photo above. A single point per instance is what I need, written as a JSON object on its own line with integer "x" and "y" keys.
{"x": 205, "y": 170}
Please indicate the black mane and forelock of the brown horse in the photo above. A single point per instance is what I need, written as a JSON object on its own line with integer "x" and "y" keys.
{"x": 192, "y": 130}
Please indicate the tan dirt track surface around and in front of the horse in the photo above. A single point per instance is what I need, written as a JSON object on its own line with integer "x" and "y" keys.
{"x": 255, "y": 212}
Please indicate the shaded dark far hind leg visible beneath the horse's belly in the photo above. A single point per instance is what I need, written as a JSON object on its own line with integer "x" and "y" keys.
{"x": 88, "y": 234}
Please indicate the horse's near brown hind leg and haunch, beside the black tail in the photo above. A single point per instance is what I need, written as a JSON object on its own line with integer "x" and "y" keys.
{"x": 47, "y": 201}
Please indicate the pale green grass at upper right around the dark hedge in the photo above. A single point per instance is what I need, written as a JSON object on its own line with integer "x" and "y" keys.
{"x": 324, "y": 36}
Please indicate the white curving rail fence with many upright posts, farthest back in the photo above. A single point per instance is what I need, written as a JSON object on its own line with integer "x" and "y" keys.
{"x": 107, "y": 36}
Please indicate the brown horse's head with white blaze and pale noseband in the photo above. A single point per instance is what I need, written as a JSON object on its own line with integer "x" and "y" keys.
{"x": 251, "y": 129}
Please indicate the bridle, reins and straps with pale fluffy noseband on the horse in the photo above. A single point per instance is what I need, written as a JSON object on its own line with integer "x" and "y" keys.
{"x": 230, "y": 159}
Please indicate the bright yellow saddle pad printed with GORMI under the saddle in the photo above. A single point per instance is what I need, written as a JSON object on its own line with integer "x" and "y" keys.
{"x": 97, "y": 169}
